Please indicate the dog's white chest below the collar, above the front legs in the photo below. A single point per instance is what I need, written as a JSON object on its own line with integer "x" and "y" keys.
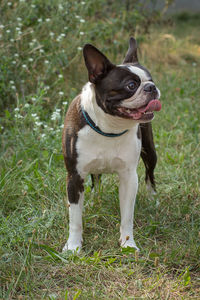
{"x": 98, "y": 154}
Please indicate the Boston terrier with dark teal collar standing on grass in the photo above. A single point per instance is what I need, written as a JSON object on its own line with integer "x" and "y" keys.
{"x": 105, "y": 129}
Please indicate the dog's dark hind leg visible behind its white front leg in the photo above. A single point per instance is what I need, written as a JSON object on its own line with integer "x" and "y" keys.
{"x": 148, "y": 155}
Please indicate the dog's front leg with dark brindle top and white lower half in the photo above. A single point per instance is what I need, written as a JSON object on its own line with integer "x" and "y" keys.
{"x": 75, "y": 191}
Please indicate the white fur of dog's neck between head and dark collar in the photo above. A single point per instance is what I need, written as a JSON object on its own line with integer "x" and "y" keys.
{"x": 104, "y": 121}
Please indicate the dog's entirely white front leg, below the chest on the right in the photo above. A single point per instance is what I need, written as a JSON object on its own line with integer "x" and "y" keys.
{"x": 127, "y": 194}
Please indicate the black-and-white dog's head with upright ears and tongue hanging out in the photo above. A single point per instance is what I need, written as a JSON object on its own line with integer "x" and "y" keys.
{"x": 125, "y": 90}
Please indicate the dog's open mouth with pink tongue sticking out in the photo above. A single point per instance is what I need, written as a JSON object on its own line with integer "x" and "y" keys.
{"x": 143, "y": 113}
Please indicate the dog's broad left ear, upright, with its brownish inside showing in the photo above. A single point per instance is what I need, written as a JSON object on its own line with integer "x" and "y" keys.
{"x": 96, "y": 62}
